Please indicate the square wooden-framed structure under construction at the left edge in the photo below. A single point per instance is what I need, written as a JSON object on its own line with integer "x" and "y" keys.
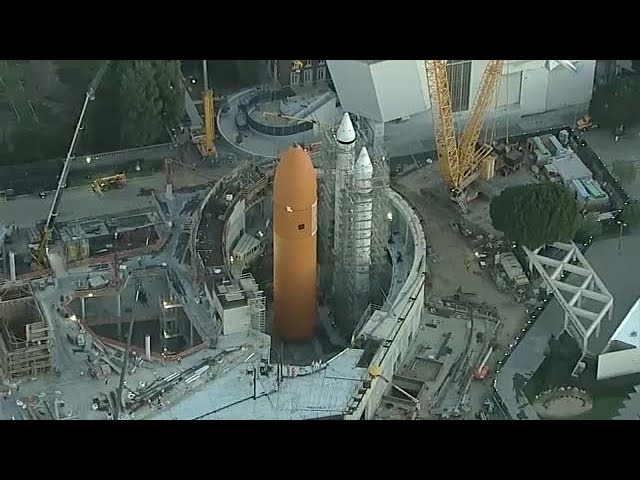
{"x": 25, "y": 336}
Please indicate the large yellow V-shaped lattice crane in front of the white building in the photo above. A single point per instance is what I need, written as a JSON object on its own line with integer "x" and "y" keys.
{"x": 460, "y": 159}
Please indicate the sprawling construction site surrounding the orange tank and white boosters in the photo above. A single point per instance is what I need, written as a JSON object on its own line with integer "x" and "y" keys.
{"x": 311, "y": 279}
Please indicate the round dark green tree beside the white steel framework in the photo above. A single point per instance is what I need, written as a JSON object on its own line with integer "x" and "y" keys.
{"x": 535, "y": 215}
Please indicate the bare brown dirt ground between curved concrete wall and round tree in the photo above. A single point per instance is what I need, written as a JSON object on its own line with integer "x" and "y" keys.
{"x": 452, "y": 252}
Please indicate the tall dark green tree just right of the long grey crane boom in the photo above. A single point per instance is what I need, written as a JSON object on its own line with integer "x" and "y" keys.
{"x": 151, "y": 99}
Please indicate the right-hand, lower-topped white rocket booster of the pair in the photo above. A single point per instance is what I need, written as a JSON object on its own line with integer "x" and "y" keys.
{"x": 362, "y": 228}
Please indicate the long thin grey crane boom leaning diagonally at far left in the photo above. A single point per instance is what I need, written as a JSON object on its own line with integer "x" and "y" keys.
{"x": 40, "y": 254}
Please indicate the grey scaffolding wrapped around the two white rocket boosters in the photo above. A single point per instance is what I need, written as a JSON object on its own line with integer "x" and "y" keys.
{"x": 337, "y": 245}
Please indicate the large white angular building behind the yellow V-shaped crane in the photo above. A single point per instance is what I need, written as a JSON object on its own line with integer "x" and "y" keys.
{"x": 534, "y": 94}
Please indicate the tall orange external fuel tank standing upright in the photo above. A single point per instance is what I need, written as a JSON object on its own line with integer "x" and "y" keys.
{"x": 295, "y": 224}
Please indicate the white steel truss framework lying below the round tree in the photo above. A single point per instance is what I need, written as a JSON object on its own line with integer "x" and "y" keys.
{"x": 581, "y": 293}
